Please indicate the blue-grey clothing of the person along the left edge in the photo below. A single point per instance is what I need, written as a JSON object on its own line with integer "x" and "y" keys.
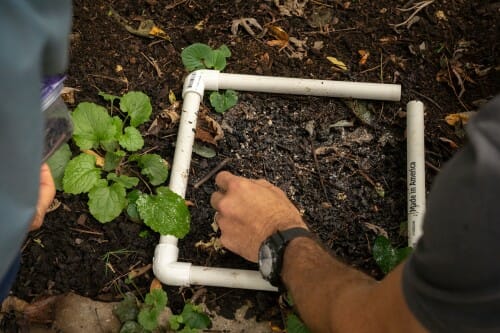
{"x": 34, "y": 37}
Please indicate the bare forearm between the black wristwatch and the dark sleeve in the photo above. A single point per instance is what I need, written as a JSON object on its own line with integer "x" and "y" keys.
{"x": 332, "y": 297}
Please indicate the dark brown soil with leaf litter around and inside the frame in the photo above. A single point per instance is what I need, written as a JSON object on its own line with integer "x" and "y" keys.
{"x": 270, "y": 136}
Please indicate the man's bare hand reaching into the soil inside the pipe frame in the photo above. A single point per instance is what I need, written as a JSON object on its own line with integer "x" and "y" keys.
{"x": 249, "y": 211}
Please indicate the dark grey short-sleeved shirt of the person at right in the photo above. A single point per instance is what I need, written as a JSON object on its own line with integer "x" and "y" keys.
{"x": 452, "y": 281}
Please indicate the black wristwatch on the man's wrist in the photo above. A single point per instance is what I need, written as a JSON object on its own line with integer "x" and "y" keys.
{"x": 271, "y": 253}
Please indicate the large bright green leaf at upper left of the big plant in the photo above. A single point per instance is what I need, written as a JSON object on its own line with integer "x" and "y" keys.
{"x": 92, "y": 126}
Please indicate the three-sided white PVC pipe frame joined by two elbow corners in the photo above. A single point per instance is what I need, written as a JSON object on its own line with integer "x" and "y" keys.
{"x": 165, "y": 265}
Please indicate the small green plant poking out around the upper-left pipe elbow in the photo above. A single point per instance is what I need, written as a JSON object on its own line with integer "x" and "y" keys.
{"x": 202, "y": 56}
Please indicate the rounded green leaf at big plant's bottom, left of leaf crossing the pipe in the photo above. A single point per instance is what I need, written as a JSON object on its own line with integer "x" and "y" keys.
{"x": 107, "y": 202}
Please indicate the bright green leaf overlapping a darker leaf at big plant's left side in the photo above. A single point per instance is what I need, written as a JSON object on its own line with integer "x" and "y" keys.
{"x": 81, "y": 174}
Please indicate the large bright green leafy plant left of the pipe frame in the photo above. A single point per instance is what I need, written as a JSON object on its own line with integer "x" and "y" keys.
{"x": 109, "y": 166}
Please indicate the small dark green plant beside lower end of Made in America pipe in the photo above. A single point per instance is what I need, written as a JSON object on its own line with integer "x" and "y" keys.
{"x": 386, "y": 256}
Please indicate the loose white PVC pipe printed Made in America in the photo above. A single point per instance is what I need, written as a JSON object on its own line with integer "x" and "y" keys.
{"x": 415, "y": 170}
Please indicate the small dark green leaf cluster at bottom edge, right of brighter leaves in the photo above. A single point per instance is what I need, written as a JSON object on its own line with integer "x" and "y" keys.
{"x": 191, "y": 320}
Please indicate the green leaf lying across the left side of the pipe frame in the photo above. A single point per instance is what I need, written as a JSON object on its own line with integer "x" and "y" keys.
{"x": 165, "y": 212}
